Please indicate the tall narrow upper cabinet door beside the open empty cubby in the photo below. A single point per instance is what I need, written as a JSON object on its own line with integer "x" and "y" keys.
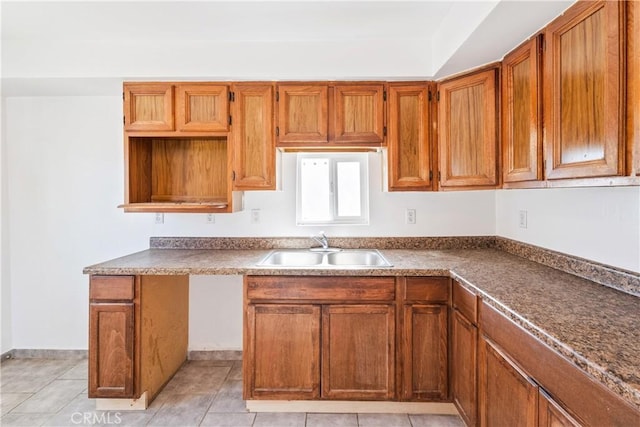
{"x": 253, "y": 137}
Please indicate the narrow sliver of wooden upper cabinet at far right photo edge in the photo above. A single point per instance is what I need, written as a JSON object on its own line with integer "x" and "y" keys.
{"x": 633, "y": 86}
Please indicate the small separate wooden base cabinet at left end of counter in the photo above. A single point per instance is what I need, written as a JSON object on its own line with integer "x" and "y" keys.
{"x": 138, "y": 336}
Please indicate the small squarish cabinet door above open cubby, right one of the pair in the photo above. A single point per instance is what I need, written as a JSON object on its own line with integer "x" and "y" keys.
{"x": 202, "y": 107}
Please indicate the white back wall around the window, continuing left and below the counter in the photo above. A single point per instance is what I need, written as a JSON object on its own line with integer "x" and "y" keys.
{"x": 65, "y": 177}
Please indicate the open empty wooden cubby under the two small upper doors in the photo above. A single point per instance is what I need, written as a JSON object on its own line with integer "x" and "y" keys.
{"x": 170, "y": 174}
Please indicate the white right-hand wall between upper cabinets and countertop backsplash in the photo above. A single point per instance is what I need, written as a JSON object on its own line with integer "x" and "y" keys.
{"x": 600, "y": 224}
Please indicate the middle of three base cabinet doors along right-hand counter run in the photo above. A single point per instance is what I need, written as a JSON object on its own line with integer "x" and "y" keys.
{"x": 507, "y": 397}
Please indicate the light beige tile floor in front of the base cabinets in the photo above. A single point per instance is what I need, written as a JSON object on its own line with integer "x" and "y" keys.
{"x": 52, "y": 392}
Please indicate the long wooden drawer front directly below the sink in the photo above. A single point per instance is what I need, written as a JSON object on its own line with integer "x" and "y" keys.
{"x": 320, "y": 288}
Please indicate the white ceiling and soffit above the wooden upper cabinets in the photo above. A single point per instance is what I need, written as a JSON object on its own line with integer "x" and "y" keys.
{"x": 51, "y": 42}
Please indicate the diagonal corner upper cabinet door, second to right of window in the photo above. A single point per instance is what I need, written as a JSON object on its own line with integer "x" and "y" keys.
{"x": 467, "y": 130}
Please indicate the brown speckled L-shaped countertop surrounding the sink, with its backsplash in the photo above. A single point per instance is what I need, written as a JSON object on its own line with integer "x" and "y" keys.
{"x": 595, "y": 326}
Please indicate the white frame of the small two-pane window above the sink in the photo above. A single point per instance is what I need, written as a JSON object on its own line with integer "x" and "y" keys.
{"x": 334, "y": 187}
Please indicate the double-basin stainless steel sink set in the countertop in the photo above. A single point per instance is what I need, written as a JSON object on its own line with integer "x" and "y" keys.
{"x": 304, "y": 258}
